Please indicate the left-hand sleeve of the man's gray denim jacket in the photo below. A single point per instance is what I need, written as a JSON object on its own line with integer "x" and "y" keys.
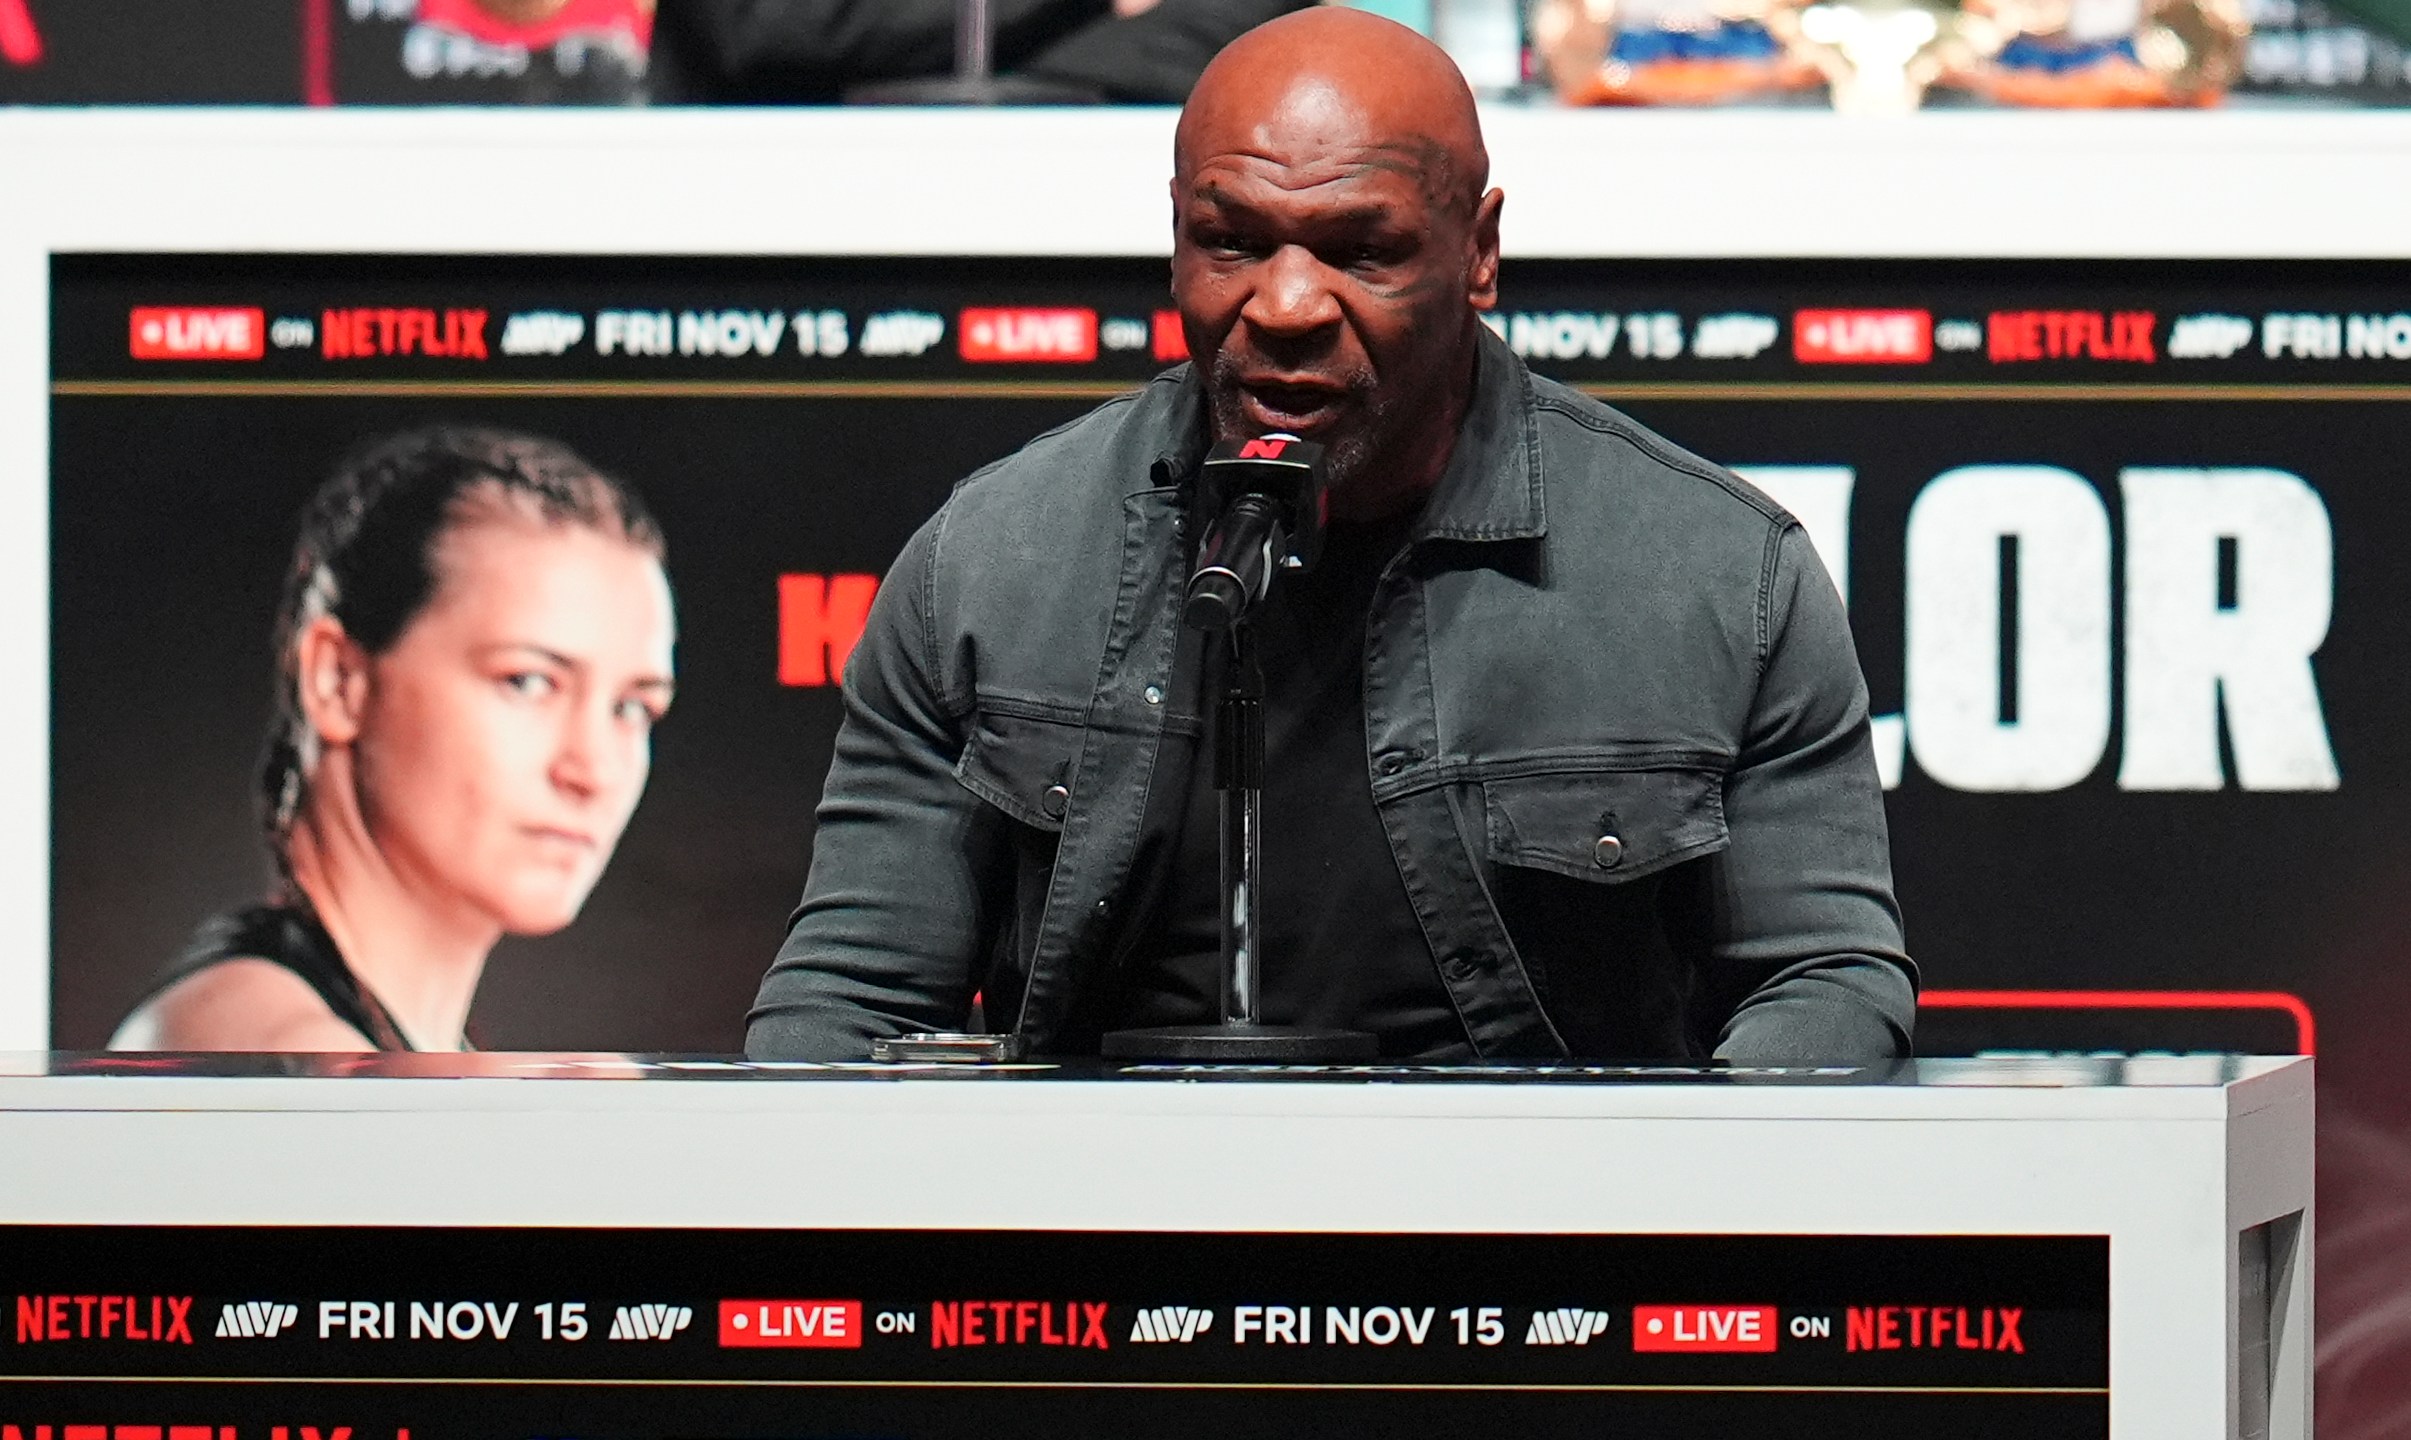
{"x": 905, "y": 860}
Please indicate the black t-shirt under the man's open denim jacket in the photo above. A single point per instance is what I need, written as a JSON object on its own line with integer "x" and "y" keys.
{"x": 1342, "y": 942}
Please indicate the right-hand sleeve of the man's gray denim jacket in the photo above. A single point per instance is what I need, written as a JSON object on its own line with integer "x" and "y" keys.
{"x": 1802, "y": 925}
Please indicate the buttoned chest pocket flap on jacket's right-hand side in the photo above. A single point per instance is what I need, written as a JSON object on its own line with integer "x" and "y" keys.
{"x": 1605, "y": 824}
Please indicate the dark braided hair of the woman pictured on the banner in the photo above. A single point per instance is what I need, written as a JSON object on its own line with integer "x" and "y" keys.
{"x": 368, "y": 561}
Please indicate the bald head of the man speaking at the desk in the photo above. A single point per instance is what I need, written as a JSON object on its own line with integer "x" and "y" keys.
{"x": 1332, "y": 245}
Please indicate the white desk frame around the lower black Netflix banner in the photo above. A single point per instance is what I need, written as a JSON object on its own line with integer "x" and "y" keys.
{"x": 2154, "y": 1166}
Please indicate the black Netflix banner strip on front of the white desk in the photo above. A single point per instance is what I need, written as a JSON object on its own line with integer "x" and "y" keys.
{"x": 452, "y": 1335}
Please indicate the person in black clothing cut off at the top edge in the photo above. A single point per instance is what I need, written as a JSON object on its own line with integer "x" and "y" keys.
{"x": 809, "y": 52}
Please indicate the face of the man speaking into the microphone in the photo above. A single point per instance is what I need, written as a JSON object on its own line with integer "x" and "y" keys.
{"x": 1325, "y": 286}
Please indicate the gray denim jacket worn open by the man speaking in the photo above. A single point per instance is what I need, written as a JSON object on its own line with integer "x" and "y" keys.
{"x": 1614, "y": 727}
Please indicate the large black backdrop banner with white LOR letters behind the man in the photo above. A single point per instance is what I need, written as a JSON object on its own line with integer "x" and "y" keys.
{"x": 2116, "y": 542}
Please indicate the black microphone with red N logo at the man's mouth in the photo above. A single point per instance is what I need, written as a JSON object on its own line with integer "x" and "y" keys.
{"x": 1269, "y": 501}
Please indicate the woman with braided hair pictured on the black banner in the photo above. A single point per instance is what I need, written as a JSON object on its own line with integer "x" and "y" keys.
{"x": 474, "y": 650}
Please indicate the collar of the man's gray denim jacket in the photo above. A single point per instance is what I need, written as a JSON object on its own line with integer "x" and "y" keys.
{"x": 1491, "y": 488}
